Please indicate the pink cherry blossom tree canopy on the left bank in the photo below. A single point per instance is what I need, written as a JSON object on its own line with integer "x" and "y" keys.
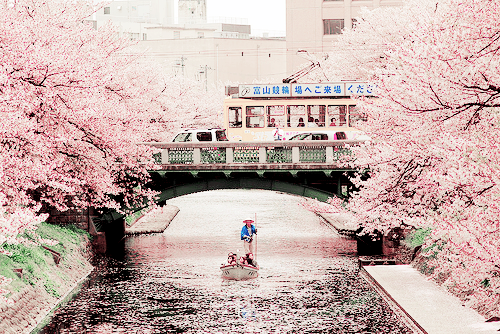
{"x": 74, "y": 103}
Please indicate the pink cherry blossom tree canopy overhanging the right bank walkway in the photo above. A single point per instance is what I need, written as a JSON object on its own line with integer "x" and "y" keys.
{"x": 434, "y": 161}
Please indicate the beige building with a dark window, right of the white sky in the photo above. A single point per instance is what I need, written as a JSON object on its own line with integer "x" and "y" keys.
{"x": 313, "y": 25}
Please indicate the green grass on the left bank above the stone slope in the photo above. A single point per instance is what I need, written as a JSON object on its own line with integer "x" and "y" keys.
{"x": 37, "y": 263}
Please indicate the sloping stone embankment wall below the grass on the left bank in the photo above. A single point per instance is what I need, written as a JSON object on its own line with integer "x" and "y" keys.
{"x": 33, "y": 303}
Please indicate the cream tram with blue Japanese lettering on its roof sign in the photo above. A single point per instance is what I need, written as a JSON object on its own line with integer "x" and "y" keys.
{"x": 252, "y": 112}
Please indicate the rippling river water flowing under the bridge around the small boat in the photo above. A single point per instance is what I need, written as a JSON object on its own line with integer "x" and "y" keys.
{"x": 171, "y": 282}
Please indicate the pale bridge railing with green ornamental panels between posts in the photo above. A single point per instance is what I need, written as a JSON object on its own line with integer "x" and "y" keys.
{"x": 290, "y": 152}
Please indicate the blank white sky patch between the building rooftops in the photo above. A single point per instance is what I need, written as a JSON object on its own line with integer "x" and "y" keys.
{"x": 262, "y": 15}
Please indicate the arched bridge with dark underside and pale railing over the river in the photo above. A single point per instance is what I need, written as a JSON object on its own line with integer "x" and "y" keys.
{"x": 315, "y": 169}
